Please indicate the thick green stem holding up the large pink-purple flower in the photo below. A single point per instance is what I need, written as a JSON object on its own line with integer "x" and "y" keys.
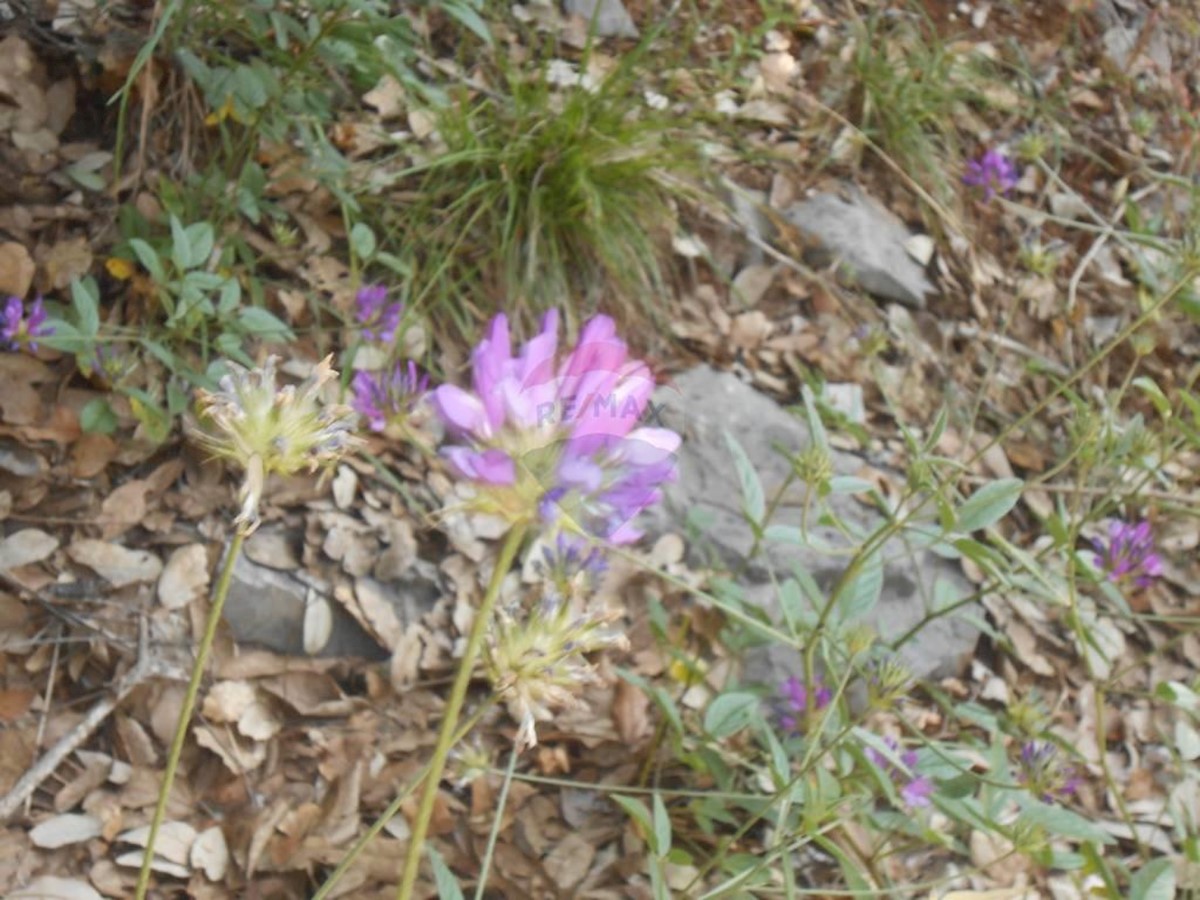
{"x": 454, "y": 706}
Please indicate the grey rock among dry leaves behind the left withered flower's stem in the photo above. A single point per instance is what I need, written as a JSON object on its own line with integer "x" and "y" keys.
{"x": 267, "y": 608}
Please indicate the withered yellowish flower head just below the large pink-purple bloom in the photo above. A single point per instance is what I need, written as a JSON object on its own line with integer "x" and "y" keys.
{"x": 538, "y": 664}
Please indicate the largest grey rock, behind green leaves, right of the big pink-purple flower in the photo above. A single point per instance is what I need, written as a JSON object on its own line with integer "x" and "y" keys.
{"x": 704, "y": 404}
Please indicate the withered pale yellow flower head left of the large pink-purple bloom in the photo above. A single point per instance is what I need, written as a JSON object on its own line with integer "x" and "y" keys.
{"x": 268, "y": 430}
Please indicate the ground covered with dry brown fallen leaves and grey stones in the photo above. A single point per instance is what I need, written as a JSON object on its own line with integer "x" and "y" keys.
{"x": 327, "y": 685}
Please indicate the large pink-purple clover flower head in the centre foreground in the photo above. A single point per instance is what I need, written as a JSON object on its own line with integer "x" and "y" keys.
{"x": 560, "y": 442}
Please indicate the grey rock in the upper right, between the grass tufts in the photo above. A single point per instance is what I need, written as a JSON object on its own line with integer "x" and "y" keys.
{"x": 868, "y": 242}
